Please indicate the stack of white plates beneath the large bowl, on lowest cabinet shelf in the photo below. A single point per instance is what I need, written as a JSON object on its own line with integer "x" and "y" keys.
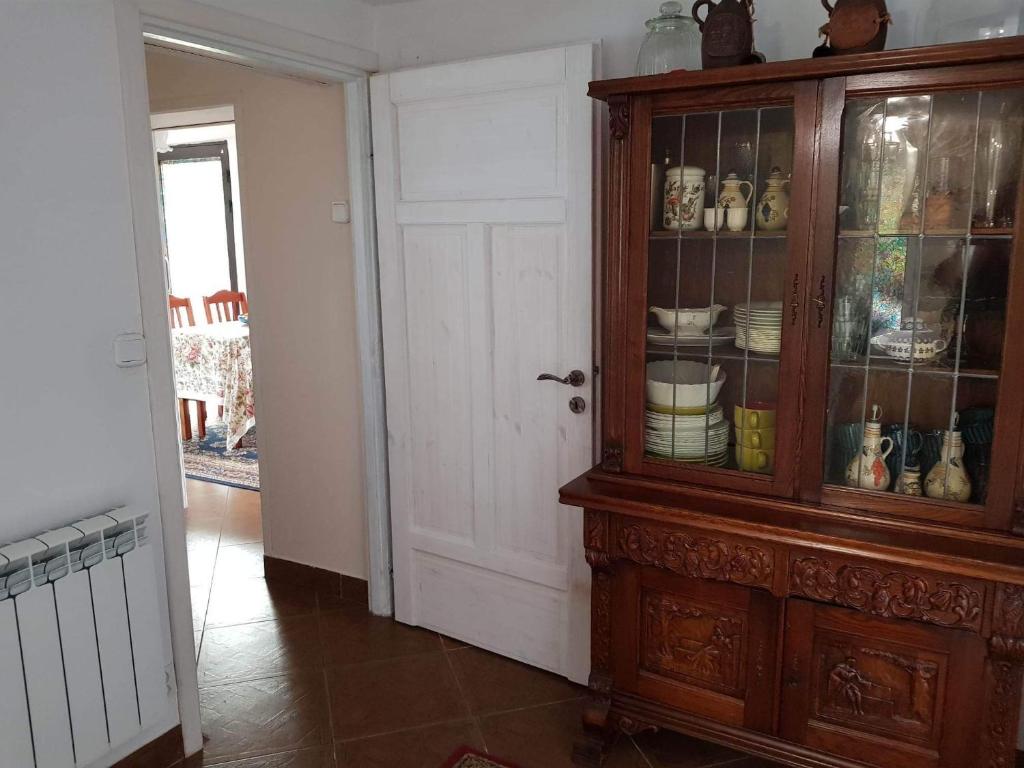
{"x": 685, "y": 437}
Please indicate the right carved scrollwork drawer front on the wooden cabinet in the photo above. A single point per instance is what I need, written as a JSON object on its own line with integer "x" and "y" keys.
{"x": 893, "y": 594}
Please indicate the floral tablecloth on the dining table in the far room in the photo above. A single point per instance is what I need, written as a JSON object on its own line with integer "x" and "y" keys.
{"x": 215, "y": 364}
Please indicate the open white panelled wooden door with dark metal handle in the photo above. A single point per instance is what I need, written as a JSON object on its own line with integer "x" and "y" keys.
{"x": 484, "y": 202}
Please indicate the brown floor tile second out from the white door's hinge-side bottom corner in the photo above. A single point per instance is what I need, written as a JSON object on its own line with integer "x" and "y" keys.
{"x": 376, "y": 698}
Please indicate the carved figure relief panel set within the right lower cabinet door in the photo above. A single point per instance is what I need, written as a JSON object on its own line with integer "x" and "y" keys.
{"x": 872, "y": 687}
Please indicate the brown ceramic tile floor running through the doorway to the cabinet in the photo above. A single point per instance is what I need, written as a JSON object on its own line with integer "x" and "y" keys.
{"x": 292, "y": 679}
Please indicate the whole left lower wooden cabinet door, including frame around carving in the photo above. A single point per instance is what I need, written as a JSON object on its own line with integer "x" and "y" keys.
{"x": 703, "y": 648}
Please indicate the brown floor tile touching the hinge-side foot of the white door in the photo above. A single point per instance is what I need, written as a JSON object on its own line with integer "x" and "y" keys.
{"x": 352, "y": 635}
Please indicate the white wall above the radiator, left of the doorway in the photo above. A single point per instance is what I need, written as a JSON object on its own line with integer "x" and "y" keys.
{"x": 77, "y": 431}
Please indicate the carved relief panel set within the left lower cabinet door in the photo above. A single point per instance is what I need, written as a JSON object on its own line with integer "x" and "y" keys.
{"x": 693, "y": 642}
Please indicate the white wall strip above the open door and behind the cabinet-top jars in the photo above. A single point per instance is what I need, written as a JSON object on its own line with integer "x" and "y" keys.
{"x": 432, "y": 31}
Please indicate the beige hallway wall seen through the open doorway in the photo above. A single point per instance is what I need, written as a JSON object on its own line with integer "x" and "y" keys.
{"x": 291, "y": 138}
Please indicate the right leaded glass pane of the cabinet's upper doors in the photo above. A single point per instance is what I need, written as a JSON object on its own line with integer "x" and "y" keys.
{"x": 926, "y": 219}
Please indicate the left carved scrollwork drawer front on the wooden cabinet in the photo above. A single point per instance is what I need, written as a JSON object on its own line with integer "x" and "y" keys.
{"x": 698, "y": 557}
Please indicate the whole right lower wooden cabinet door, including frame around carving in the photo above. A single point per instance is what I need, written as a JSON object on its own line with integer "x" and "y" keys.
{"x": 887, "y": 693}
